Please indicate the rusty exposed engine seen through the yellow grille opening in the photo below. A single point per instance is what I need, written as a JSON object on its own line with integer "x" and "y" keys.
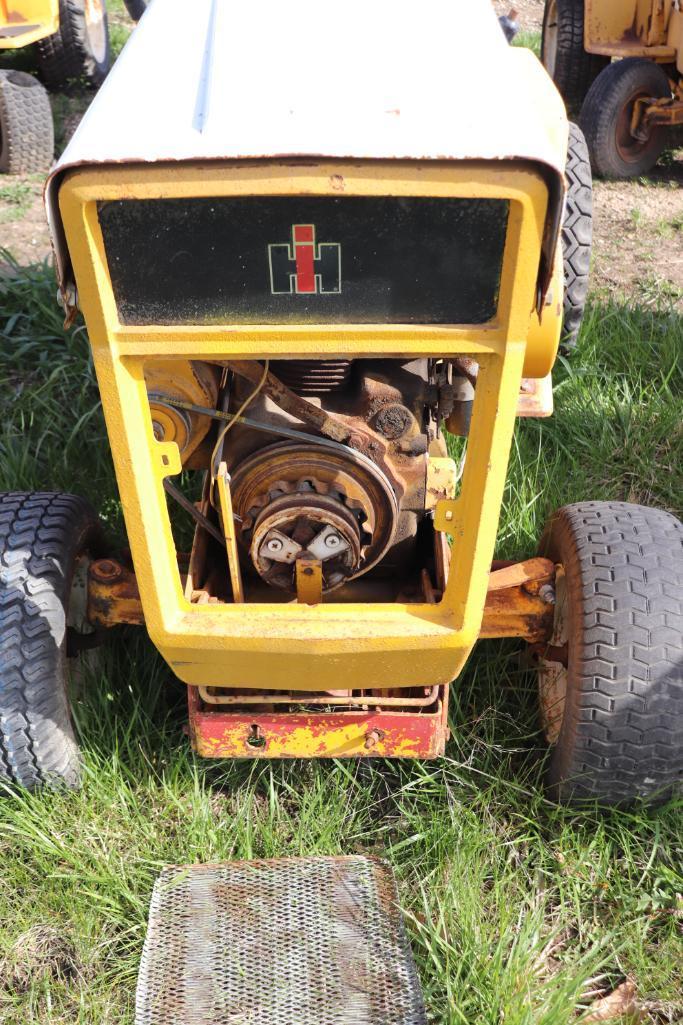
{"x": 329, "y": 462}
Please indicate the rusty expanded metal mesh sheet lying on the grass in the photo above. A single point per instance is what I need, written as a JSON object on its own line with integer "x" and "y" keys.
{"x": 302, "y": 941}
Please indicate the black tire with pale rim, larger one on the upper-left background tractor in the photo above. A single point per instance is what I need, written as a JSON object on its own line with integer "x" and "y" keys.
{"x": 79, "y": 50}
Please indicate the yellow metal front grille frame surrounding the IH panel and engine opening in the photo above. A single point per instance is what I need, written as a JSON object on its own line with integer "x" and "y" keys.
{"x": 276, "y": 646}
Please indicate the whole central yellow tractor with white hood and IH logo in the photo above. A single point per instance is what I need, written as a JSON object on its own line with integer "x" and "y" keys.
{"x": 320, "y": 286}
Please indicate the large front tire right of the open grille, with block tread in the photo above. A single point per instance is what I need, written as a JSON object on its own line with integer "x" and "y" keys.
{"x": 614, "y": 715}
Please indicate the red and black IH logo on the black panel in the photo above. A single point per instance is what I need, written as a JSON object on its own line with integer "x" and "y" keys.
{"x": 305, "y": 267}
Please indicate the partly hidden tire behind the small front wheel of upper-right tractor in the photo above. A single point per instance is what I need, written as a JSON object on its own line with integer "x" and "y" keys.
{"x": 571, "y": 67}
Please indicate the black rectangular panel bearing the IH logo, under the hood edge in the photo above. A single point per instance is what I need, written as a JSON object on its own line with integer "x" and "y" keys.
{"x": 305, "y": 260}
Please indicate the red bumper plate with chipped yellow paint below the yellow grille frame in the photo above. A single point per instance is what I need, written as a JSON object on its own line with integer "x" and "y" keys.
{"x": 339, "y": 735}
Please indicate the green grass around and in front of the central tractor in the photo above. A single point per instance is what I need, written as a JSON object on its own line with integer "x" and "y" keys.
{"x": 519, "y": 912}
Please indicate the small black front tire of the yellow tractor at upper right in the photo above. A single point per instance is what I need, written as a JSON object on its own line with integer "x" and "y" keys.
{"x": 607, "y": 118}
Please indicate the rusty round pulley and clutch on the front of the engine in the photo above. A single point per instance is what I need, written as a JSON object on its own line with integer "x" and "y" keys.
{"x": 298, "y": 500}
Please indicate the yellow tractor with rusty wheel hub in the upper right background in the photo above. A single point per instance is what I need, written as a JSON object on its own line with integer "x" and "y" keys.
{"x": 629, "y": 107}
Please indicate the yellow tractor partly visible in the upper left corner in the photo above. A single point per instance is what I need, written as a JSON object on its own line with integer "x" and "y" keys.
{"x": 72, "y": 43}
